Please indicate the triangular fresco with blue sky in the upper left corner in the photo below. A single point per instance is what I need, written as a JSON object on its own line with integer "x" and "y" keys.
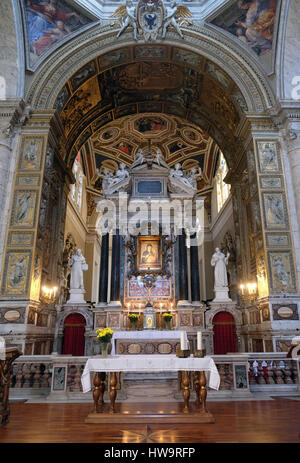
{"x": 48, "y": 22}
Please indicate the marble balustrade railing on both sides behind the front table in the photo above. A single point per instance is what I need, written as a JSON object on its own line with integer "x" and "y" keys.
{"x": 57, "y": 378}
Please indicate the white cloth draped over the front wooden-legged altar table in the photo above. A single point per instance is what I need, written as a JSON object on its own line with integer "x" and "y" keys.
{"x": 149, "y": 363}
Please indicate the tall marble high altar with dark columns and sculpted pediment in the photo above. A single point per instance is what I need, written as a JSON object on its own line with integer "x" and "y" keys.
{"x": 150, "y": 221}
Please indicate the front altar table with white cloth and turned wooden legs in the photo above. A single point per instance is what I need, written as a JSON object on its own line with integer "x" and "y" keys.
{"x": 150, "y": 363}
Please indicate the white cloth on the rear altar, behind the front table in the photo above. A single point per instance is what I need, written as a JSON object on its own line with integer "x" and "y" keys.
{"x": 145, "y": 334}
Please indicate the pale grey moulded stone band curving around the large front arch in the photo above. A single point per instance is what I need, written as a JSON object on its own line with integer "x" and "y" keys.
{"x": 224, "y": 52}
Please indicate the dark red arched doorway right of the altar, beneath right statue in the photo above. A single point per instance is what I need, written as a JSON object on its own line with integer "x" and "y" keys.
{"x": 224, "y": 333}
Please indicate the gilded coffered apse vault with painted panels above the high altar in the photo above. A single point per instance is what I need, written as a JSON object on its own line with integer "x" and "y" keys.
{"x": 178, "y": 140}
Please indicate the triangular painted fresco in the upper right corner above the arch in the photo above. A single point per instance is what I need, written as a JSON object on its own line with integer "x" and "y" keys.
{"x": 252, "y": 22}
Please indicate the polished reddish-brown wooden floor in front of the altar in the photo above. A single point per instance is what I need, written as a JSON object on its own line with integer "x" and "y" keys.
{"x": 272, "y": 421}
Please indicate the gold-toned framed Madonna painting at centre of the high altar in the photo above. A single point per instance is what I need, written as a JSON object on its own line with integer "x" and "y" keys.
{"x": 149, "y": 253}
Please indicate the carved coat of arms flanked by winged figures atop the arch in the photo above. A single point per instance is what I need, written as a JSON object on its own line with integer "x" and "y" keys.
{"x": 151, "y": 19}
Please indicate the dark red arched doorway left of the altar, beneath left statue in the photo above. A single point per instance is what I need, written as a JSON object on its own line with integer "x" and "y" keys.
{"x": 74, "y": 329}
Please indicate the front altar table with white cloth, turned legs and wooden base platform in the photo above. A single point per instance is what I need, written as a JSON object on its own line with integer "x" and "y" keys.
{"x": 200, "y": 368}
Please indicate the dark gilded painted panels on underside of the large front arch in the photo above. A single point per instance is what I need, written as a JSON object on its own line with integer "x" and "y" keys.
{"x": 149, "y": 79}
